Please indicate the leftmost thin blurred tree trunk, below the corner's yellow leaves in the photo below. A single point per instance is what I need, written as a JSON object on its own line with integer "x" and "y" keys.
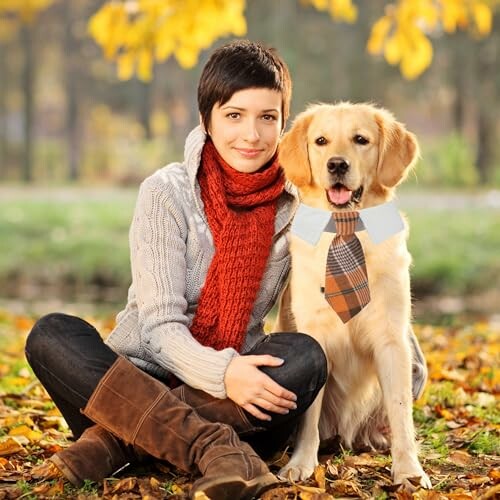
{"x": 28, "y": 86}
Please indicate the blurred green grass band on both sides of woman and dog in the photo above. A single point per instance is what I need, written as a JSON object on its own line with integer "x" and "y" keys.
{"x": 79, "y": 241}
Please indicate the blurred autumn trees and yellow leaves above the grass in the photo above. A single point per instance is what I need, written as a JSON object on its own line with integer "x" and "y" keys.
{"x": 105, "y": 92}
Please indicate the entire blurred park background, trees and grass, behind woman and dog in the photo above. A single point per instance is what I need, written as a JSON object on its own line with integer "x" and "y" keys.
{"x": 95, "y": 96}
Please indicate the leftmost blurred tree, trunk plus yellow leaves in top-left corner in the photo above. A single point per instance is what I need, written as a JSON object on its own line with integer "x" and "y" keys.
{"x": 23, "y": 13}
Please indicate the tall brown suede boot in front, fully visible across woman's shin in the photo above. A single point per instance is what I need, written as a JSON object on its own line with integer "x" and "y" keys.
{"x": 144, "y": 412}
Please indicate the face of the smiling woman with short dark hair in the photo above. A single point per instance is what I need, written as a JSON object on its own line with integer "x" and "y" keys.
{"x": 246, "y": 129}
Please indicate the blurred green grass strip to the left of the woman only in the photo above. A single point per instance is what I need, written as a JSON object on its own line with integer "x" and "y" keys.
{"x": 76, "y": 242}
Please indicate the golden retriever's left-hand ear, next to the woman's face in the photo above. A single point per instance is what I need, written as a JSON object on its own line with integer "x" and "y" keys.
{"x": 293, "y": 154}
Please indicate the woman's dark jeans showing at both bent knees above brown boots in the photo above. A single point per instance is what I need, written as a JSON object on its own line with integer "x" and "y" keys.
{"x": 69, "y": 357}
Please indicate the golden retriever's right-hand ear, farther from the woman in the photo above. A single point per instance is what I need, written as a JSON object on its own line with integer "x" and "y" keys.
{"x": 398, "y": 150}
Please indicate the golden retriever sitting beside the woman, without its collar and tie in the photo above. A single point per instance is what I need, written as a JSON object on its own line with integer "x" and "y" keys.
{"x": 348, "y": 157}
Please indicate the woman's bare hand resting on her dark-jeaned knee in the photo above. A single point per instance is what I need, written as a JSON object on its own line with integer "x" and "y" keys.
{"x": 253, "y": 390}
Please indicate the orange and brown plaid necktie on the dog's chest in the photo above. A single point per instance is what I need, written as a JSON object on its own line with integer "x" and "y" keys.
{"x": 346, "y": 285}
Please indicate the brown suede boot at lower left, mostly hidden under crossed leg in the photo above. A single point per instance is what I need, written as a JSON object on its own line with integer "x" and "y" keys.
{"x": 96, "y": 455}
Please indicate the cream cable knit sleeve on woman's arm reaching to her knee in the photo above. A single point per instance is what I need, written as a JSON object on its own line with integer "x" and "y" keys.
{"x": 158, "y": 248}
